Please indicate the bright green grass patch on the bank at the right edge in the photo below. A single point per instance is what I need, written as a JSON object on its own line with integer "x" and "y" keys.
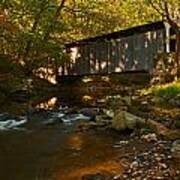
{"x": 166, "y": 91}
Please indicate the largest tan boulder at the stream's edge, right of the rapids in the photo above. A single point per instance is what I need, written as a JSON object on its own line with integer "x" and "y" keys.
{"x": 124, "y": 120}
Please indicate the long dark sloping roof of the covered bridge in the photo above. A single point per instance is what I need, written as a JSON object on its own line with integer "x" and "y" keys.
{"x": 122, "y": 33}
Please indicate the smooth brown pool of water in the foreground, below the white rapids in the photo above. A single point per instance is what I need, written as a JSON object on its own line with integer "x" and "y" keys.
{"x": 56, "y": 153}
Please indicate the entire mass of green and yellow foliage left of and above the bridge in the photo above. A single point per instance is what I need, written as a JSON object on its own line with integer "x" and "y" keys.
{"x": 33, "y": 32}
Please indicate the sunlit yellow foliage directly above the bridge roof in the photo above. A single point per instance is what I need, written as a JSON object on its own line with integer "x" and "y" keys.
{"x": 96, "y": 17}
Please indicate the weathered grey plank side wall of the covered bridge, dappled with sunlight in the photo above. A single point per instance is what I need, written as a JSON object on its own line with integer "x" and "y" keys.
{"x": 135, "y": 52}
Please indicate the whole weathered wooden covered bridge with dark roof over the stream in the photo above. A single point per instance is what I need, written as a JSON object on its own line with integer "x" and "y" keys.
{"x": 127, "y": 50}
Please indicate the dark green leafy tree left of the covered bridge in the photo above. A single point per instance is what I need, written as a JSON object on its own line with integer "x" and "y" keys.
{"x": 33, "y": 43}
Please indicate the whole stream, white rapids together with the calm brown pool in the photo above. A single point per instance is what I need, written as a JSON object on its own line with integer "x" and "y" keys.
{"x": 49, "y": 147}
